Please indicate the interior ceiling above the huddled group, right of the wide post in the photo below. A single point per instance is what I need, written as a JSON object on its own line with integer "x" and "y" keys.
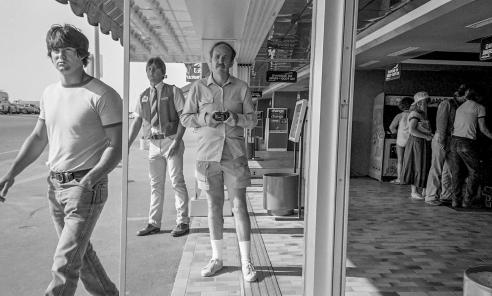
{"x": 436, "y": 27}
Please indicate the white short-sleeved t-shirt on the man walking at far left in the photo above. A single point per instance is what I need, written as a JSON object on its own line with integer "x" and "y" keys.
{"x": 75, "y": 118}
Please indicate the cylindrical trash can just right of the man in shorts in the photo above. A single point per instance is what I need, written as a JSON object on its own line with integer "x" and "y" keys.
{"x": 280, "y": 192}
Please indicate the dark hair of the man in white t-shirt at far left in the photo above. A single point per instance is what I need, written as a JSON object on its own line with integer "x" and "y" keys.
{"x": 60, "y": 36}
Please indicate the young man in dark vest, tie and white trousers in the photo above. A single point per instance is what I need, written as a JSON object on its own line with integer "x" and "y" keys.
{"x": 158, "y": 108}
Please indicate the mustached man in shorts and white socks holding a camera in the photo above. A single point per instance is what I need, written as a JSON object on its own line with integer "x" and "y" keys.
{"x": 220, "y": 108}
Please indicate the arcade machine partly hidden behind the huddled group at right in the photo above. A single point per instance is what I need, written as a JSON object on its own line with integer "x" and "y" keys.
{"x": 383, "y": 159}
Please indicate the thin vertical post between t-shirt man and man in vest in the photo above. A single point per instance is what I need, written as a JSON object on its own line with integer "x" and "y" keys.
{"x": 124, "y": 169}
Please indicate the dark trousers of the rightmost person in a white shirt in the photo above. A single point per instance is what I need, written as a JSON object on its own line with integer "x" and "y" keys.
{"x": 464, "y": 162}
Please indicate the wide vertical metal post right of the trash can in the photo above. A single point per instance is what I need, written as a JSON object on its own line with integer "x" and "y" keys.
{"x": 331, "y": 87}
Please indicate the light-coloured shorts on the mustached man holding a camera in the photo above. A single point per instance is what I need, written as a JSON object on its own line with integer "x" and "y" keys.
{"x": 233, "y": 173}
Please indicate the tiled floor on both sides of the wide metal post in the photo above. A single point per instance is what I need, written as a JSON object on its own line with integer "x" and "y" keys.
{"x": 396, "y": 247}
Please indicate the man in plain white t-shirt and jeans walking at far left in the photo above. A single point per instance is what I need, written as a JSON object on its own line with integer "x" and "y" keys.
{"x": 80, "y": 119}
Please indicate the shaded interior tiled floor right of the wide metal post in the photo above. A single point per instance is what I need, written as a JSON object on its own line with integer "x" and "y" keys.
{"x": 397, "y": 246}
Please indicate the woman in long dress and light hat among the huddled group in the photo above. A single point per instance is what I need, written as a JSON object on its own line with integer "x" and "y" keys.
{"x": 417, "y": 157}
